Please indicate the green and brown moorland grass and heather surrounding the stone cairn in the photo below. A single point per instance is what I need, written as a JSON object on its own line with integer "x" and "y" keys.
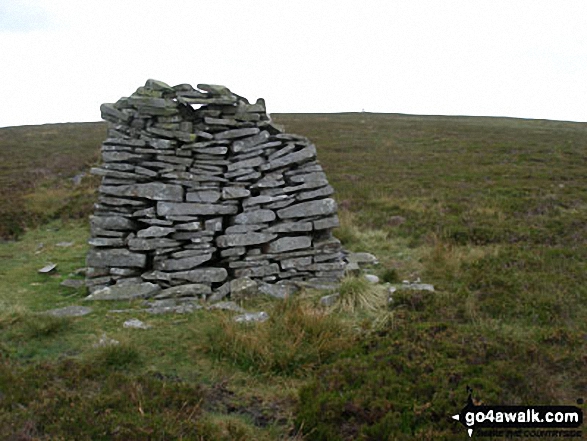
{"x": 491, "y": 211}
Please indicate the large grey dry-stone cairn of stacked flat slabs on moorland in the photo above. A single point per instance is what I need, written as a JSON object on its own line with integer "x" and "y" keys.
{"x": 199, "y": 189}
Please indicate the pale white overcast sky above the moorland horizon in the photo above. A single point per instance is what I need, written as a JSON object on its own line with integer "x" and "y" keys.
{"x": 59, "y": 59}
